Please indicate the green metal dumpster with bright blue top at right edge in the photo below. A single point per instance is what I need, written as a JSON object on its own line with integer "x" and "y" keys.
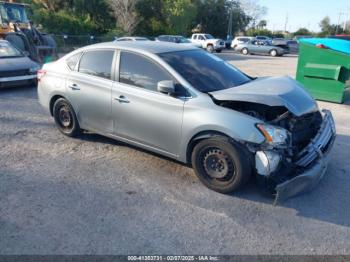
{"x": 324, "y": 68}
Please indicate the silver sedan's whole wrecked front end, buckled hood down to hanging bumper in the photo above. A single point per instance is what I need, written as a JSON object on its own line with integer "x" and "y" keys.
{"x": 298, "y": 137}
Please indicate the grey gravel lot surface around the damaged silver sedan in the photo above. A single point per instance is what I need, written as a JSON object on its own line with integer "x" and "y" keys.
{"x": 93, "y": 195}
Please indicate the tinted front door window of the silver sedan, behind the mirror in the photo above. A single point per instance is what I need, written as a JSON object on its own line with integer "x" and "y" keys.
{"x": 136, "y": 70}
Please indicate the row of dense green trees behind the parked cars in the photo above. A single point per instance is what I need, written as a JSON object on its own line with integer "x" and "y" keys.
{"x": 144, "y": 17}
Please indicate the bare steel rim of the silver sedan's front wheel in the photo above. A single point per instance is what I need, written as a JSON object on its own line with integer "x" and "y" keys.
{"x": 217, "y": 164}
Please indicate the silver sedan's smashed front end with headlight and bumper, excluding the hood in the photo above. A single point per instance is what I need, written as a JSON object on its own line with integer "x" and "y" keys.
{"x": 294, "y": 156}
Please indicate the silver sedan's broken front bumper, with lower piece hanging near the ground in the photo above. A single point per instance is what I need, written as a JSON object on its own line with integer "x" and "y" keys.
{"x": 313, "y": 160}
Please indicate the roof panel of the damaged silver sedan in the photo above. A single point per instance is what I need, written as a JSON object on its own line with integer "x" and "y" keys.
{"x": 146, "y": 46}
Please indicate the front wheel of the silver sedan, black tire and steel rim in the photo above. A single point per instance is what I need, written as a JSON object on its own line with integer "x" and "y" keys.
{"x": 221, "y": 164}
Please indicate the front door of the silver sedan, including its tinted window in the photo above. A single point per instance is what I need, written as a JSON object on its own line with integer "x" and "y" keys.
{"x": 142, "y": 114}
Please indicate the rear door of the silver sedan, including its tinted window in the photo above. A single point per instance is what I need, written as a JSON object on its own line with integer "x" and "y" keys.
{"x": 89, "y": 89}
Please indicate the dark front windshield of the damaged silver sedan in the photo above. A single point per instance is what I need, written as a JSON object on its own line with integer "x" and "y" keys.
{"x": 204, "y": 71}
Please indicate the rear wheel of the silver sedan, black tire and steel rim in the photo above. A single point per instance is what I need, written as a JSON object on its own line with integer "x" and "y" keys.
{"x": 65, "y": 118}
